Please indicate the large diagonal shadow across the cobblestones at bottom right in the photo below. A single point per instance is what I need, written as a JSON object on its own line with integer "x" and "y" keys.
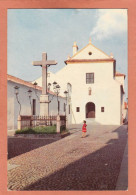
{"x": 96, "y": 171}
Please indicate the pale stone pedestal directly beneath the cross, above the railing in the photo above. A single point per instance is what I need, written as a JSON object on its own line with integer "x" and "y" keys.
{"x": 44, "y": 105}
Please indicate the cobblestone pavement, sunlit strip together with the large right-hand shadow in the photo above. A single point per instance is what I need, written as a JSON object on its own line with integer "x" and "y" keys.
{"x": 72, "y": 163}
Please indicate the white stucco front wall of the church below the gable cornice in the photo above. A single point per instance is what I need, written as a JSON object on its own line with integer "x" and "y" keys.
{"x": 105, "y": 91}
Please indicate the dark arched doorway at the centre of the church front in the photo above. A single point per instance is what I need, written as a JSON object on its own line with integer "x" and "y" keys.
{"x": 90, "y": 110}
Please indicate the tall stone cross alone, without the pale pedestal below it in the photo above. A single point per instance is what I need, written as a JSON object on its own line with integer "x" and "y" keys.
{"x": 44, "y": 64}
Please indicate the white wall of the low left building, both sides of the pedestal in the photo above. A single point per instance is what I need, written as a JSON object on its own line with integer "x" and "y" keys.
{"x": 13, "y": 106}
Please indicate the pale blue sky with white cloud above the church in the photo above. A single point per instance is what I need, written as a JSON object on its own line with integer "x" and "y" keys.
{"x": 33, "y": 31}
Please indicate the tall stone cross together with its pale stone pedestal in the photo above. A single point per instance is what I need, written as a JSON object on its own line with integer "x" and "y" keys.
{"x": 44, "y": 98}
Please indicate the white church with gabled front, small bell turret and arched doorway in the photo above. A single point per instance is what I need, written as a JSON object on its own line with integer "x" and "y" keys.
{"x": 96, "y": 90}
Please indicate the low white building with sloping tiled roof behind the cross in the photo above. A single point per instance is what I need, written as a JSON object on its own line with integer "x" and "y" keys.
{"x": 23, "y": 105}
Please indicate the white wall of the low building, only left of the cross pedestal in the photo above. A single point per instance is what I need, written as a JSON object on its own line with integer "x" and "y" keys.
{"x": 13, "y": 106}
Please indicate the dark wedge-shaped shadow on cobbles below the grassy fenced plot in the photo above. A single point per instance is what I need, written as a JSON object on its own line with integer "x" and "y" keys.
{"x": 18, "y": 146}
